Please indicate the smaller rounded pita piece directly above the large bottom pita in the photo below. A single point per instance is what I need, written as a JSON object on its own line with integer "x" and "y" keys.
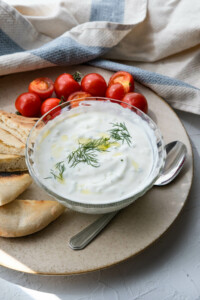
{"x": 12, "y": 185}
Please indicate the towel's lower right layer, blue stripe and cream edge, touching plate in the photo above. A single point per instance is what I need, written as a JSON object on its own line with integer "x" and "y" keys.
{"x": 179, "y": 94}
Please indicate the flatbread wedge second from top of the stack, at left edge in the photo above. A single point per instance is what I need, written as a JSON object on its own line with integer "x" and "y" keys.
{"x": 9, "y": 144}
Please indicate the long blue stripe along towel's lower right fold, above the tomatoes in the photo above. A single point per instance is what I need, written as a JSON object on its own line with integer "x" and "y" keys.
{"x": 142, "y": 76}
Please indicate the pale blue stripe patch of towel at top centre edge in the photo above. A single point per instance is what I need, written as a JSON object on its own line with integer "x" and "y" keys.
{"x": 107, "y": 10}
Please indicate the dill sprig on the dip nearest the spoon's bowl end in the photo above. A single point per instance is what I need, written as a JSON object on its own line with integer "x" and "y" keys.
{"x": 119, "y": 132}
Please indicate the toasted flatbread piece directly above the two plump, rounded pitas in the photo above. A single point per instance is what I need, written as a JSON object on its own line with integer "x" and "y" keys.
{"x": 11, "y": 163}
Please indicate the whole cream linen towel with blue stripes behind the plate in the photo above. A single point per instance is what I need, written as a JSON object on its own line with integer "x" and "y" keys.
{"x": 144, "y": 34}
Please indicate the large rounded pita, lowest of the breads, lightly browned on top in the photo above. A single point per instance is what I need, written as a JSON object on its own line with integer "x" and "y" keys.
{"x": 24, "y": 217}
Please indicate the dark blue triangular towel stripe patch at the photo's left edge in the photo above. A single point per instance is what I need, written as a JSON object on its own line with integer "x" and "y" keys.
{"x": 7, "y": 45}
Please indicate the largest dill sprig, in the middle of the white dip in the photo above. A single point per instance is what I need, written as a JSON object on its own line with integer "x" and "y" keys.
{"x": 86, "y": 152}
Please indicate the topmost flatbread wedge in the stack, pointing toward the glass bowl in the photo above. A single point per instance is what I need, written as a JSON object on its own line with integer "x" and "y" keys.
{"x": 18, "y": 126}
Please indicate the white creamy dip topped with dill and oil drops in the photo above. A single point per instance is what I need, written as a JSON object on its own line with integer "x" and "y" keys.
{"x": 121, "y": 167}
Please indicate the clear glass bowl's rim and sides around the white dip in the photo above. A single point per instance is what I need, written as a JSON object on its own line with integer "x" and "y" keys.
{"x": 104, "y": 205}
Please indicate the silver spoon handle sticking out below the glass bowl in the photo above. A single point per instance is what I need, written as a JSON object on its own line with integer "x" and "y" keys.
{"x": 84, "y": 237}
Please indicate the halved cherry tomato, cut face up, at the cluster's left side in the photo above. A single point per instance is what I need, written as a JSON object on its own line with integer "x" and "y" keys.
{"x": 42, "y": 86}
